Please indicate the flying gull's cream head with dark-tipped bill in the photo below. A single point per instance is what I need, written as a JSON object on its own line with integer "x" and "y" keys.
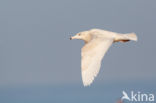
{"x": 82, "y": 36}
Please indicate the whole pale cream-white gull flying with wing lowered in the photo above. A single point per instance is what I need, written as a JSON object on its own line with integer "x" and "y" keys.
{"x": 97, "y": 42}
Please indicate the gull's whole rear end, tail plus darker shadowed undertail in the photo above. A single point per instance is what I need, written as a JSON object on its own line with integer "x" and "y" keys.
{"x": 126, "y": 37}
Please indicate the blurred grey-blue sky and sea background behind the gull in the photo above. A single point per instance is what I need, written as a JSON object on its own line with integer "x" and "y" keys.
{"x": 39, "y": 64}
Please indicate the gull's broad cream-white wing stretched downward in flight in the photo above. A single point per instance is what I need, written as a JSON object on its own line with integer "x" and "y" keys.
{"x": 92, "y": 54}
